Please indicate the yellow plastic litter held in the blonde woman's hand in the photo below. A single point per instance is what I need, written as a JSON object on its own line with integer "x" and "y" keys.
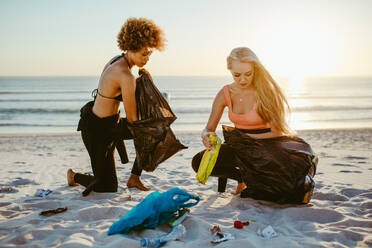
{"x": 208, "y": 160}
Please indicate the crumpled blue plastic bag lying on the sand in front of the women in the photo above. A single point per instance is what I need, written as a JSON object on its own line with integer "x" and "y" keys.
{"x": 156, "y": 209}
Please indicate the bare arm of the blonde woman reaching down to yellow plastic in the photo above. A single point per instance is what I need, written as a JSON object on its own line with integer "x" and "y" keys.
{"x": 217, "y": 110}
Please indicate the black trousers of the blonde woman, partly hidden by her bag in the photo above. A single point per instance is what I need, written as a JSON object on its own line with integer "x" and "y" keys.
{"x": 225, "y": 167}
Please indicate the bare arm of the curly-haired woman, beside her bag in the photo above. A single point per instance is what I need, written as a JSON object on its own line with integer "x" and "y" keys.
{"x": 128, "y": 90}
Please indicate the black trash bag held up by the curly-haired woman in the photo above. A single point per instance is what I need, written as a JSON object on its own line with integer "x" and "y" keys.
{"x": 153, "y": 138}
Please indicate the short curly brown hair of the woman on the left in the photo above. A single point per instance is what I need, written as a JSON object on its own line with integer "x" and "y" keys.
{"x": 137, "y": 33}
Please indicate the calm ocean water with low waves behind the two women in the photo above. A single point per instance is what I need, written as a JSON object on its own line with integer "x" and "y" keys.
{"x": 52, "y": 104}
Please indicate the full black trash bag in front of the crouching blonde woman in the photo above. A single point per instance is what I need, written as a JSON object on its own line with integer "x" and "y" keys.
{"x": 274, "y": 169}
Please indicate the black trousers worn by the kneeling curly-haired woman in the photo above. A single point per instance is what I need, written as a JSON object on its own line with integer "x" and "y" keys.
{"x": 99, "y": 140}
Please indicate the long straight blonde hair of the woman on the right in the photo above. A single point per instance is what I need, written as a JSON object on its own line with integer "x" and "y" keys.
{"x": 272, "y": 105}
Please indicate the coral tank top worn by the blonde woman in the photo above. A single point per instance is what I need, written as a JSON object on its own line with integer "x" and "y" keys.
{"x": 244, "y": 121}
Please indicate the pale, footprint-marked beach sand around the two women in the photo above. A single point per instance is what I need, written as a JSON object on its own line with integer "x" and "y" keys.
{"x": 339, "y": 215}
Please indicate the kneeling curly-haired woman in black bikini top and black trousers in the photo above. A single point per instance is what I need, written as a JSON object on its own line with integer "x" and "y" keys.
{"x": 137, "y": 39}
